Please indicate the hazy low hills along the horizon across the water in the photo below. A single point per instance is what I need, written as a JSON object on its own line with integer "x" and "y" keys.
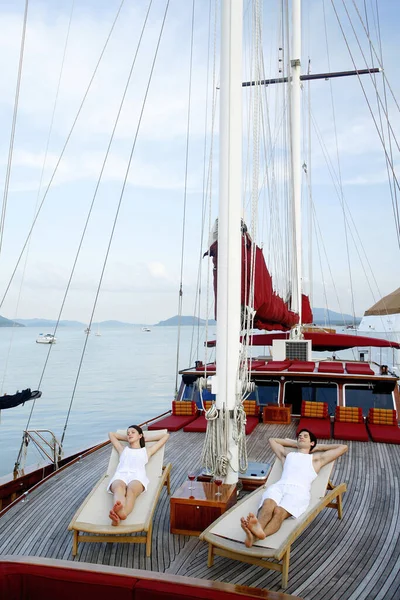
{"x": 321, "y": 317}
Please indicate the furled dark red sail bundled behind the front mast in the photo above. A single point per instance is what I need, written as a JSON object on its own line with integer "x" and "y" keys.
{"x": 272, "y": 312}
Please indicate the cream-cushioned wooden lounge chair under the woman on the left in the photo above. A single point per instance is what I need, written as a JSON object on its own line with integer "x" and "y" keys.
{"x": 92, "y": 516}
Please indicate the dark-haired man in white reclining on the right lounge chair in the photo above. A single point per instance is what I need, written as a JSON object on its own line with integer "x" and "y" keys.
{"x": 290, "y": 496}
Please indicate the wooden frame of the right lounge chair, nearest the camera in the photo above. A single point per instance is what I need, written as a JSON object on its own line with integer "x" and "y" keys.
{"x": 262, "y": 556}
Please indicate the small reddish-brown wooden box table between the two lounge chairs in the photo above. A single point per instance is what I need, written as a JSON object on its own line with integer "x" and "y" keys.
{"x": 194, "y": 510}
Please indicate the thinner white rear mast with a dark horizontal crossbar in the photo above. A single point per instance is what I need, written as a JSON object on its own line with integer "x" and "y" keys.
{"x": 295, "y": 114}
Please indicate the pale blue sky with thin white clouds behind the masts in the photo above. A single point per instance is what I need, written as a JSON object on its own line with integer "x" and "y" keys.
{"x": 140, "y": 252}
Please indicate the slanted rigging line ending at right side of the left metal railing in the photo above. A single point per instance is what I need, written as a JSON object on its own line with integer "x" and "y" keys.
{"x": 116, "y": 216}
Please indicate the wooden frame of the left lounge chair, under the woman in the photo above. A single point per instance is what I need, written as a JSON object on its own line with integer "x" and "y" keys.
{"x": 109, "y": 533}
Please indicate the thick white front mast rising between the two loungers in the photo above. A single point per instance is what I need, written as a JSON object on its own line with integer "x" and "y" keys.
{"x": 229, "y": 234}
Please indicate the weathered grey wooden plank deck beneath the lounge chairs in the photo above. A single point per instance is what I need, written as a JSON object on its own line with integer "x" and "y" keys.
{"x": 356, "y": 558}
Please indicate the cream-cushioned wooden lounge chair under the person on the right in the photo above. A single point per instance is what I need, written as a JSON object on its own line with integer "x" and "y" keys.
{"x": 226, "y": 537}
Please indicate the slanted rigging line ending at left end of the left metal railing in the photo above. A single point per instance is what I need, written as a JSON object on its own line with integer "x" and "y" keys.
{"x": 92, "y": 205}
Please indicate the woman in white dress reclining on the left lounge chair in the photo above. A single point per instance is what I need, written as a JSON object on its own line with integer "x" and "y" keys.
{"x": 130, "y": 478}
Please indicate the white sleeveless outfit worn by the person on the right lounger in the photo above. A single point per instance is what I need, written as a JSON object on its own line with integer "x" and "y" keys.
{"x": 293, "y": 491}
